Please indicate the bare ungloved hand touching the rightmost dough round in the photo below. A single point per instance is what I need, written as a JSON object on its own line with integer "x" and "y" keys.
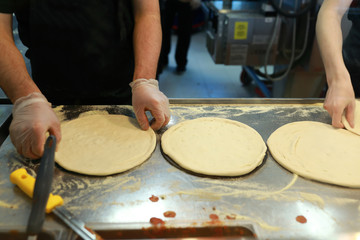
{"x": 340, "y": 99}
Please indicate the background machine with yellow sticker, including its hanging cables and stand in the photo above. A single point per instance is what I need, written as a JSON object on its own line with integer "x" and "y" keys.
{"x": 274, "y": 39}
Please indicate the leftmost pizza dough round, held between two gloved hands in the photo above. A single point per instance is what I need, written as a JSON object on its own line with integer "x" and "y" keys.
{"x": 103, "y": 144}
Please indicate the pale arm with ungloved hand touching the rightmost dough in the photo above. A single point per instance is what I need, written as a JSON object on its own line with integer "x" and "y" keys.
{"x": 340, "y": 95}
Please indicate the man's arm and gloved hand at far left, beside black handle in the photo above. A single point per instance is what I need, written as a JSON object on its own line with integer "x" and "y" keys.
{"x": 33, "y": 116}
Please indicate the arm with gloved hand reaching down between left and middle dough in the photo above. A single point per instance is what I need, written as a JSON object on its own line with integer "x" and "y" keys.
{"x": 146, "y": 95}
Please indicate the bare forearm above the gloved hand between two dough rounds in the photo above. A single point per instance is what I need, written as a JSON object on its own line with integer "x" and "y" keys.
{"x": 147, "y": 39}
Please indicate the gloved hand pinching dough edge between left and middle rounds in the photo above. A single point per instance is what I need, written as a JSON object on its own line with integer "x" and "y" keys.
{"x": 146, "y": 96}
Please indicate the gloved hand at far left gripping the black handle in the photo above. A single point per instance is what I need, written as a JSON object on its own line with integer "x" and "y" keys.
{"x": 33, "y": 117}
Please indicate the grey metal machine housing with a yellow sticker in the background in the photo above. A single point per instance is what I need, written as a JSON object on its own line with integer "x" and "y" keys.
{"x": 239, "y": 32}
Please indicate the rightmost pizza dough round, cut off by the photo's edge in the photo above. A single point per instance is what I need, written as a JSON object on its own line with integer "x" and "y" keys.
{"x": 318, "y": 151}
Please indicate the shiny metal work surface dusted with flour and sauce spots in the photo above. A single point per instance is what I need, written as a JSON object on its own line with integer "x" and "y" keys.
{"x": 269, "y": 201}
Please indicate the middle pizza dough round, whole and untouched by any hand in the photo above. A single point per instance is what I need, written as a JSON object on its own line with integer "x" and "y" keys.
{"x": 214, "y": 146}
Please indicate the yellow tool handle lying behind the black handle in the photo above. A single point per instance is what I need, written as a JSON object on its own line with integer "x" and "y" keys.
{"x": 26, "y": 183}
